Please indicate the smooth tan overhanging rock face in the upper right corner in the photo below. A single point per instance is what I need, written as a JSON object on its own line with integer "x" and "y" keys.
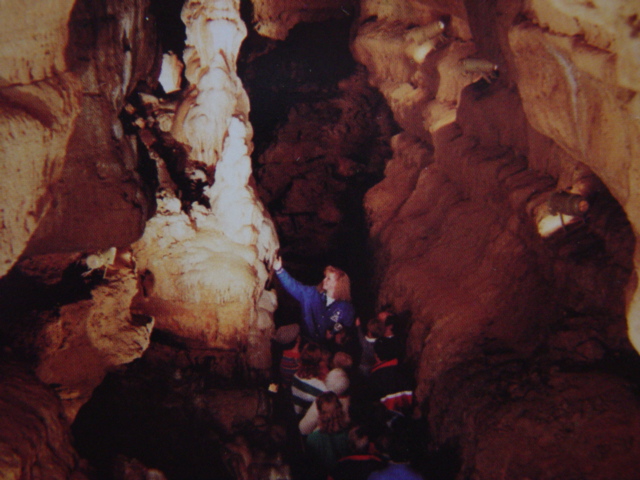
{"x": 578, "y": 77}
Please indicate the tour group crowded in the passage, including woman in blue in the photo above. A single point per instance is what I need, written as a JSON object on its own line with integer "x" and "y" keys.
{"x": 346, "y": 384}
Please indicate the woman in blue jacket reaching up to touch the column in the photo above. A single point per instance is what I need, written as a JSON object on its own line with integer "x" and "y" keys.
{"x": 326, "y": 308}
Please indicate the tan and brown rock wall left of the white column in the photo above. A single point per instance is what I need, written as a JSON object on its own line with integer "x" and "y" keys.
{"x": 82, "y": 190}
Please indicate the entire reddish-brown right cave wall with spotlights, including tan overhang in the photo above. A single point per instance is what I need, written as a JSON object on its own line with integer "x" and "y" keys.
{"x": 503, "y": 108}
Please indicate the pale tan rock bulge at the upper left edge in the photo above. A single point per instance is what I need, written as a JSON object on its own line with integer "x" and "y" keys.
{"x": 39, "y": 103}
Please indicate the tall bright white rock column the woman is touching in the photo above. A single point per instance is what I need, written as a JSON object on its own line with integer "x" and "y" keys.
{"x": 210, "y": 265}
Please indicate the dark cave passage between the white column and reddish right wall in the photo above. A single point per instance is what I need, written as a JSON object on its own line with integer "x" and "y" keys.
{"x": 321, "y": 136}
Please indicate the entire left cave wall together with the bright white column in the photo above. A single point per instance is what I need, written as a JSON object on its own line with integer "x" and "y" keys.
{"x": 88, "y": 170}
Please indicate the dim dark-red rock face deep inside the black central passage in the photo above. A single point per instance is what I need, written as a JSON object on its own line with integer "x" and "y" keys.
{"x": 322, "y": 160}
